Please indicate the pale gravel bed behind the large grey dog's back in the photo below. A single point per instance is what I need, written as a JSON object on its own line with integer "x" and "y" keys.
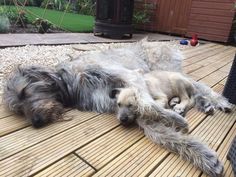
{"x": 52, "y": 55}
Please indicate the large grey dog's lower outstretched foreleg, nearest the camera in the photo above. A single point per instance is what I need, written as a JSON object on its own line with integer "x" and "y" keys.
{"x": 188, "y": 148}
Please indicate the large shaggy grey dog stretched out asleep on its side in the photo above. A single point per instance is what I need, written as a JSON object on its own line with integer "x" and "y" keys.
{"x": 86, "y": 83}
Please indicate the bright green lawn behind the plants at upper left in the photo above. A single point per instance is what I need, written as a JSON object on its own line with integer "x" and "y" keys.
{"x": 70, "y": 22}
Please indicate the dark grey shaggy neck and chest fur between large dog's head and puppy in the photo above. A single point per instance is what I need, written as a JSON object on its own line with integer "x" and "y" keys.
{"x": 89, "y": 90}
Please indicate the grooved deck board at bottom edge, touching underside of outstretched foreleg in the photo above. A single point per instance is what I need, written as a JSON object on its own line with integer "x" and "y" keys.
{"x": 137, "y": 157}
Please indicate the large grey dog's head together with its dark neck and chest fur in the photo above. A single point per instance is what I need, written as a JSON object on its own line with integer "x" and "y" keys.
{"x": 42, "y": 93}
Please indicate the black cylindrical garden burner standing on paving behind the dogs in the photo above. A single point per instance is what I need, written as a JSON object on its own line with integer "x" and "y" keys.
{"x": 114, "y": 18}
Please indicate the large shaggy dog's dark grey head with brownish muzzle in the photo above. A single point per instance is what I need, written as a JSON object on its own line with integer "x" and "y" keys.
{"x": 37, "y": 93}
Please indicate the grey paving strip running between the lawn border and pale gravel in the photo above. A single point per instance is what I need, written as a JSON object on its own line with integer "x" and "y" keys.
{"x": 10, "y": 40}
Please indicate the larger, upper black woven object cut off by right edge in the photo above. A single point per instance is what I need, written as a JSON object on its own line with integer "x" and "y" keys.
{"x": 230, "y": 86}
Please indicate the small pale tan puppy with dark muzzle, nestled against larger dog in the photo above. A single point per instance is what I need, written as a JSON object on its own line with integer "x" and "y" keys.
{"x": 171, "y": 90}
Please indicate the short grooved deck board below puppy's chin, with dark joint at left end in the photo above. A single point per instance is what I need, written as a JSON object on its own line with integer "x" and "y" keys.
{"x": 104, "y": 149}
